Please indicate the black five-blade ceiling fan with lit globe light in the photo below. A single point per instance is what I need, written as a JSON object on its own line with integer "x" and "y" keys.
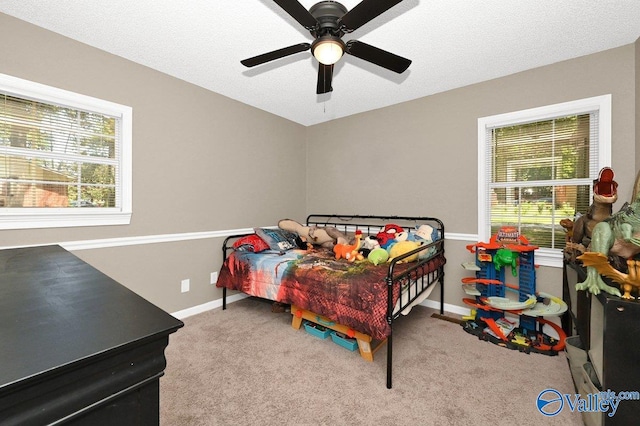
{"x": 328, "y": 21}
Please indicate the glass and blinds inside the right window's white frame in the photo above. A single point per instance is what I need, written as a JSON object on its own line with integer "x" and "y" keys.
{"x": 531, "y": 167}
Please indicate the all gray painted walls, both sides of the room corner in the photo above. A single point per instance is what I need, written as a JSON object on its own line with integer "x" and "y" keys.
{"x": 205, "y": 163}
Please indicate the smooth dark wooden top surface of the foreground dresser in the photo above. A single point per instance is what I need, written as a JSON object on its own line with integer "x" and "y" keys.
{"x": 57, "y": 311}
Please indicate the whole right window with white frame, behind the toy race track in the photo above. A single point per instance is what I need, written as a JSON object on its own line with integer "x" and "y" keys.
{"x": 536, "y": 167}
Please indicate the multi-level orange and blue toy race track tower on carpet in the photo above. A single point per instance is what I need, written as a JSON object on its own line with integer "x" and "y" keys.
{"x": 490, "y": 306}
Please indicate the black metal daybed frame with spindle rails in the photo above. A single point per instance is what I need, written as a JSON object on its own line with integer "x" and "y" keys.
{"x": 416, "y": 279}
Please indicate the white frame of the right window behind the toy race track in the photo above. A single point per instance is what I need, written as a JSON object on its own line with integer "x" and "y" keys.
{"x": 602, "y": 104}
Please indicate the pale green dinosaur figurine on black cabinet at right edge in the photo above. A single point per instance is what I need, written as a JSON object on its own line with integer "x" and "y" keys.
{"x": 617, "y": 235}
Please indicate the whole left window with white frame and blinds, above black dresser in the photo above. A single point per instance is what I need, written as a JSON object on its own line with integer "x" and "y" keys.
{"x": 65, "y": 158}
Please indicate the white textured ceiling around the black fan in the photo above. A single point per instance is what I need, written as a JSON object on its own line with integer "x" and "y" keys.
{"x": 452, "y": 43}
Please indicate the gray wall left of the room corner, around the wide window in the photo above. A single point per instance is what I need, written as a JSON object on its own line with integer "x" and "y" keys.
{"x": 202, "y": 162}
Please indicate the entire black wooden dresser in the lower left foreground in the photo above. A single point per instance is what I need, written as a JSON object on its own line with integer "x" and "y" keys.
{"x": 76, "y": 347}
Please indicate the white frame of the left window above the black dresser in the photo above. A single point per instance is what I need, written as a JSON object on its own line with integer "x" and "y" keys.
{"x": 19, "y": 218}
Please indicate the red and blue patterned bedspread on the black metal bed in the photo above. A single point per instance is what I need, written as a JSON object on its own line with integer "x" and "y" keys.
{"x": 352, "y": 294}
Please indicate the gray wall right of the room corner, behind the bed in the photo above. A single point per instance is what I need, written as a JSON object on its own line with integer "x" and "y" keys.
{"x": 420, "y": 157}
